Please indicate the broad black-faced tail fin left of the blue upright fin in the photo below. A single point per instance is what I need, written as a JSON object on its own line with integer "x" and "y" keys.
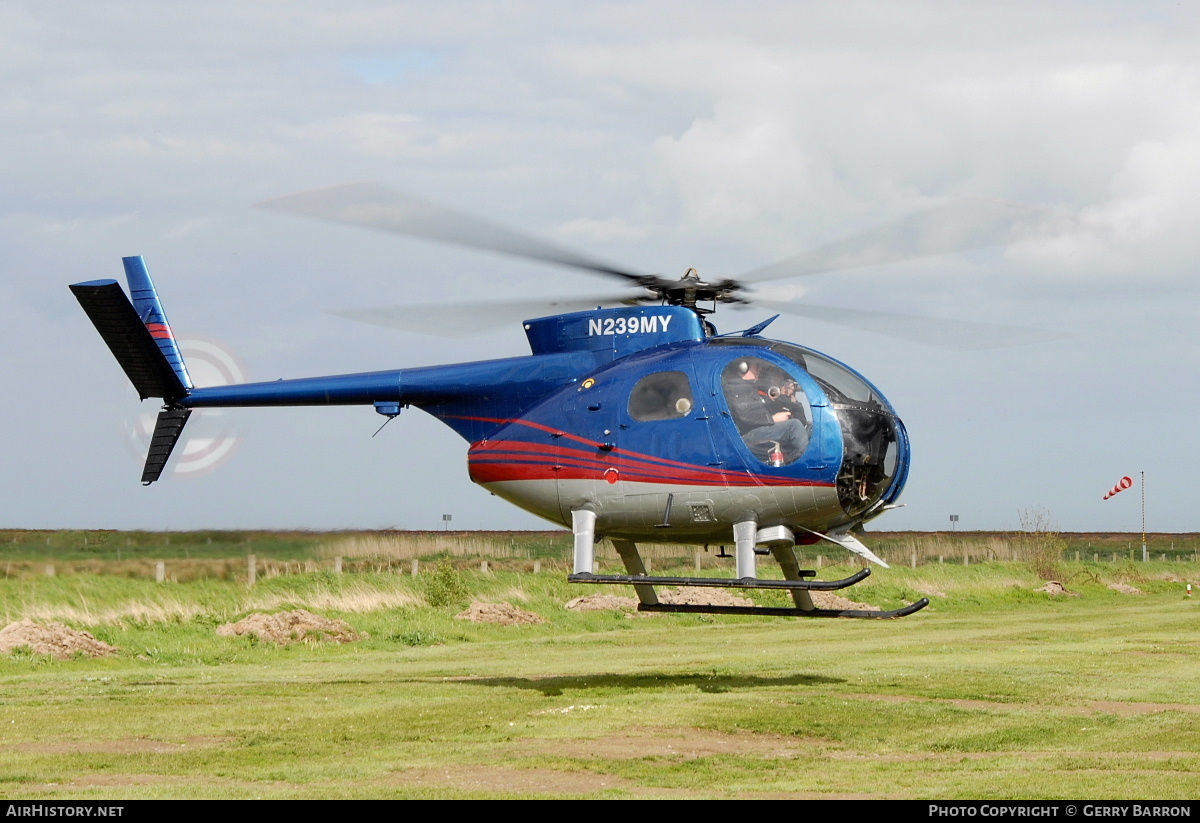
{"x": 129, "y": 340}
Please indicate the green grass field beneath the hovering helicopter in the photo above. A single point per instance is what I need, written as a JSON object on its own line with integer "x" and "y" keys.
{"x": 994, "y": 692}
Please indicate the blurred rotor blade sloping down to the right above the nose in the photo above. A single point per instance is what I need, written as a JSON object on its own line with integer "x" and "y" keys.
{"x": 955, "y": 335}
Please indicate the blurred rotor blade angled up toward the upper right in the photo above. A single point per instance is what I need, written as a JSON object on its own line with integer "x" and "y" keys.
{"x": 958, "y": 227}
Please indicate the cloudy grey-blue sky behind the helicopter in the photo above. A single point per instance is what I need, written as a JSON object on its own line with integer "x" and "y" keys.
{"x": 657, "y": 135}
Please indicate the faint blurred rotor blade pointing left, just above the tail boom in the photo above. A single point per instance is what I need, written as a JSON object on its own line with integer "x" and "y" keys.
{"x": 463, "y": 320}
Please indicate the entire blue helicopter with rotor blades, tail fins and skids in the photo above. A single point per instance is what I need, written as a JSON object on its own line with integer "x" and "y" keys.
{"x": 633, "y": 418}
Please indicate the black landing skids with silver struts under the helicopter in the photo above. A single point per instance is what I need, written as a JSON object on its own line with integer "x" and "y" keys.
{"x": 748, "y": 539}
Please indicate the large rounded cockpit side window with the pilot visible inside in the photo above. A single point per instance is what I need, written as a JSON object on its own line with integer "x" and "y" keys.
{"x": 770, "y": 410}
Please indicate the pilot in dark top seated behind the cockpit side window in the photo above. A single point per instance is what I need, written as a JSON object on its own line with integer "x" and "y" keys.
{"x": 766, "y": 414}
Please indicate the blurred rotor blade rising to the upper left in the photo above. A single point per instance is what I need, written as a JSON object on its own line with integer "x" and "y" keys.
{"x": 392, "y": 211}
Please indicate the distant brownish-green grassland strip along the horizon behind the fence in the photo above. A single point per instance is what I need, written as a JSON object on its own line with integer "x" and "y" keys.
{"x": 221, "y": 554}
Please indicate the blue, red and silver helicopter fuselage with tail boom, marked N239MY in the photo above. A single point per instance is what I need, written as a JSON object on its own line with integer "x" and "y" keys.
{"x": 641, "y": 416}
